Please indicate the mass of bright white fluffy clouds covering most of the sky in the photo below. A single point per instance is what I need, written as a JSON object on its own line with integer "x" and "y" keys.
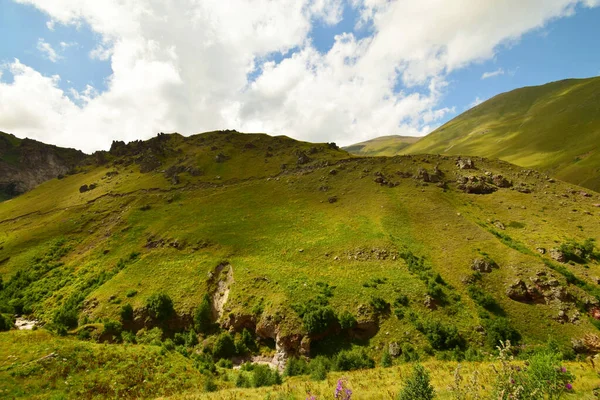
{"x": 195, "y": 65}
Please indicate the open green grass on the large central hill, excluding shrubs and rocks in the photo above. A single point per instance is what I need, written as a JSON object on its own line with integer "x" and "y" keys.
{"x": 282, "y": 236}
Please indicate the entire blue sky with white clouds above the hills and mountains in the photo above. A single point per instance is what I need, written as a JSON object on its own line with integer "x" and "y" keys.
{"x": 82, "y": 73}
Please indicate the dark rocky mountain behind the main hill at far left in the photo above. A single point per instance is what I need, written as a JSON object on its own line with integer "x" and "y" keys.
{"x": 25, "y": 163}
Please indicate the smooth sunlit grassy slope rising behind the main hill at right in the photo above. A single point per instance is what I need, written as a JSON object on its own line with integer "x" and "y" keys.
{"x": 553, "y": 128}
